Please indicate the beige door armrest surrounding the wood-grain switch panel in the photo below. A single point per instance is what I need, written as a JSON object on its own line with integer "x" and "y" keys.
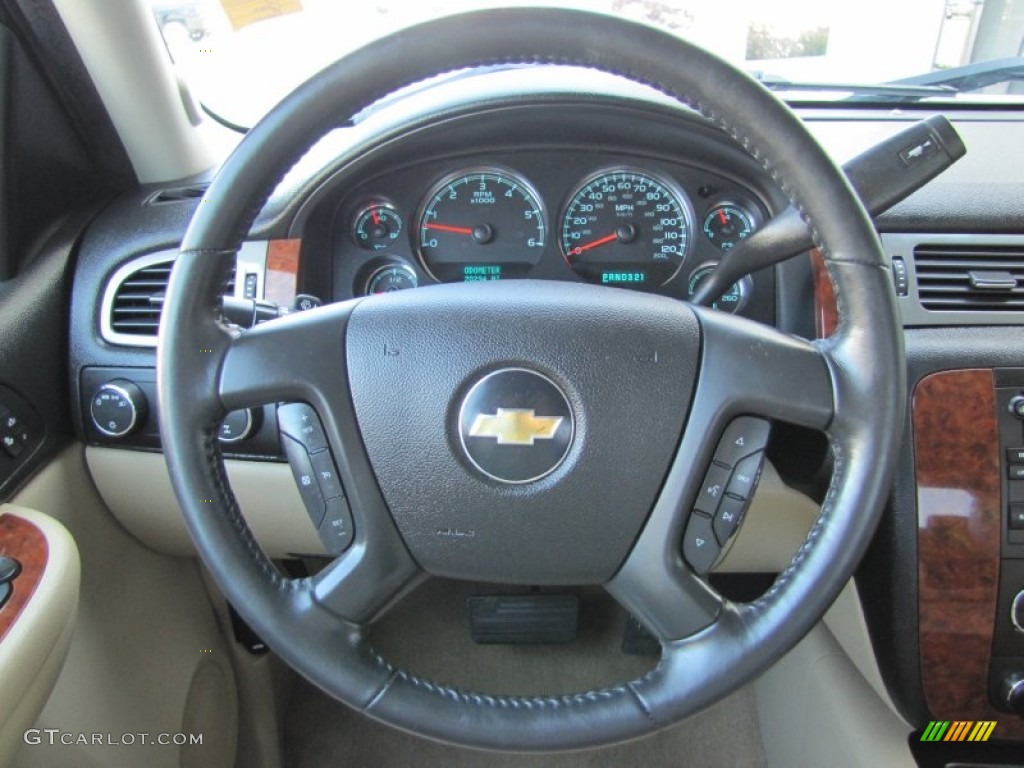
{"x": 35, "y": 648}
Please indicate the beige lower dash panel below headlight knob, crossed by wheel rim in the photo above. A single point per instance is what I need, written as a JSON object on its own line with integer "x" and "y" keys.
{"x": 138, "y": 489}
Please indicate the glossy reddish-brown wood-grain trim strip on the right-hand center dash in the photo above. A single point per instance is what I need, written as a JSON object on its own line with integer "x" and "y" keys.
{"x": 957, "y": 456}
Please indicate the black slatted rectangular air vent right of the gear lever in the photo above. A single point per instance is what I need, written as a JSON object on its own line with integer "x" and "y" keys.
{"x": 970, "y": 278}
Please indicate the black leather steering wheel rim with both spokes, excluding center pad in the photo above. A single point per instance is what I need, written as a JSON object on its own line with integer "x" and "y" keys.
{"x": 854, "y": 387}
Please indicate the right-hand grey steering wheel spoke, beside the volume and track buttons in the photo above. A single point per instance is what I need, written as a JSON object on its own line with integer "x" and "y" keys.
{"x": 748, "y": 370}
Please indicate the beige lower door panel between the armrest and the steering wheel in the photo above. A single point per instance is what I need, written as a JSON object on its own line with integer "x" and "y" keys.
{"x": 147, "y": 655}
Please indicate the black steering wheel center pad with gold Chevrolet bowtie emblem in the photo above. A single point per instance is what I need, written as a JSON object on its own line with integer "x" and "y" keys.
{"x": 532, "y": 457}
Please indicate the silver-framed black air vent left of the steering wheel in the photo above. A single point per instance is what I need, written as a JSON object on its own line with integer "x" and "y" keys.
{"x": 137, "y": 298}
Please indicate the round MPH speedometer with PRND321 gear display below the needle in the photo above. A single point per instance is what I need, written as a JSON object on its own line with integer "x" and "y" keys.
{"x": 626, "y": 227}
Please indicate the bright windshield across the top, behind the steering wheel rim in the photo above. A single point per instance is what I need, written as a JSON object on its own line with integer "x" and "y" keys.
{"x": 242, "y": 57}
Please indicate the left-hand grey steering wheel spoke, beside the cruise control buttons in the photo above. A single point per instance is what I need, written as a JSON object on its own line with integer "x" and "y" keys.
{"x": 301, "y": 359}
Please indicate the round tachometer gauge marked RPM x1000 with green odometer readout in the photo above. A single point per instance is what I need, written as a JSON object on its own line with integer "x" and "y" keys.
{"x": 480, "y": 225}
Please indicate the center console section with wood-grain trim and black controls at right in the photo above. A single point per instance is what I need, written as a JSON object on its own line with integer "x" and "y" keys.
{"x": 969, "y": 446}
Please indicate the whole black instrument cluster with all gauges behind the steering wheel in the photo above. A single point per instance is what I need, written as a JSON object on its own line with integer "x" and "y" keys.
{"x": 617, "y": 221}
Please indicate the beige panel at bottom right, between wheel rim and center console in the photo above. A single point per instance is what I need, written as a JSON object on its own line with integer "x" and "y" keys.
{"x": 817, "y": 709}
